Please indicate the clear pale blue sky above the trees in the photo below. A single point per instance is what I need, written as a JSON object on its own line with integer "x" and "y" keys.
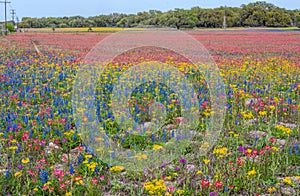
{"x": 45, "y": 8}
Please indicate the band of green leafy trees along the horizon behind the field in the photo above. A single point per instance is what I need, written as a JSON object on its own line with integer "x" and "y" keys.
{"x": 257, "y": 14}
